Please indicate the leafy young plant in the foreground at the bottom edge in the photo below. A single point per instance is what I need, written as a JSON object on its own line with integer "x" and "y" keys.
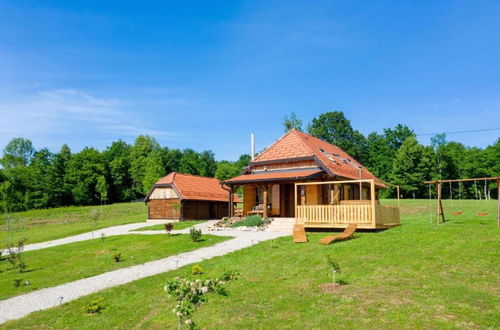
{"x": 190, "y": 295}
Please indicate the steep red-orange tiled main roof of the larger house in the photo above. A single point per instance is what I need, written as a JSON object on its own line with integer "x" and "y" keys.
{"x": 295, "y": 144}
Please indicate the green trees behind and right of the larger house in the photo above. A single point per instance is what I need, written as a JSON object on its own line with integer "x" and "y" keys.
{"x": 396, "y": 157}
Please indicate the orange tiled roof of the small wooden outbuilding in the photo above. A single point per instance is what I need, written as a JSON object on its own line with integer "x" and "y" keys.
{"x": 194, "y": 187}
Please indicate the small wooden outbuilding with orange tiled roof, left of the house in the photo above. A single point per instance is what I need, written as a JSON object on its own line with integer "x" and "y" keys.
{"x": 180, "y": 196}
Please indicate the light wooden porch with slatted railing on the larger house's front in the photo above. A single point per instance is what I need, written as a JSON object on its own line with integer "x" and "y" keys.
{"x": 366, "y": 213}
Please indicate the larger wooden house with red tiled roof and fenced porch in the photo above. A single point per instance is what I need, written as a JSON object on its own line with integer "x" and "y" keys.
{"x": 314, "y": 183}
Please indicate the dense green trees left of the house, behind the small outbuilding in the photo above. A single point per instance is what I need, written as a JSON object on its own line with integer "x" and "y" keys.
{"x": 33, "y": 179}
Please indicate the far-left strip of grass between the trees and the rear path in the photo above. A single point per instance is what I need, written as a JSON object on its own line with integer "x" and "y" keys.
{"x": 49, "y": 224}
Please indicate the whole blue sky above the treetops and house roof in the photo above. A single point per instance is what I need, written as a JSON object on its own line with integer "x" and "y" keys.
{"x": 206, "y": 74}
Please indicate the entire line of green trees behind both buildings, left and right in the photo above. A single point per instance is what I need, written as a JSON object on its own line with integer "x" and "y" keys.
{"x": 32, "y": 178}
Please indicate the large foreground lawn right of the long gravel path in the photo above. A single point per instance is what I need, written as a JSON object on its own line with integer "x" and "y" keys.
{"x": 418, "y": 275}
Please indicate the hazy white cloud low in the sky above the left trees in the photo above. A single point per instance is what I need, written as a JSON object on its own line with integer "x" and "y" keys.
{"x": 69, "y": 114}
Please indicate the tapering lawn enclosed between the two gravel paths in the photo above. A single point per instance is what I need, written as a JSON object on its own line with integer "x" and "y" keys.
{"x": 65, "y": 263}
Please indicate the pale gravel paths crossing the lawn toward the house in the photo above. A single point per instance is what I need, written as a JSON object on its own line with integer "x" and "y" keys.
{"x": 20, "y": 306}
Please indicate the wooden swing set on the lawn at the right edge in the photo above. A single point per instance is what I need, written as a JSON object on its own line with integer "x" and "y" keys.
{"x": 481, "y": 212}
